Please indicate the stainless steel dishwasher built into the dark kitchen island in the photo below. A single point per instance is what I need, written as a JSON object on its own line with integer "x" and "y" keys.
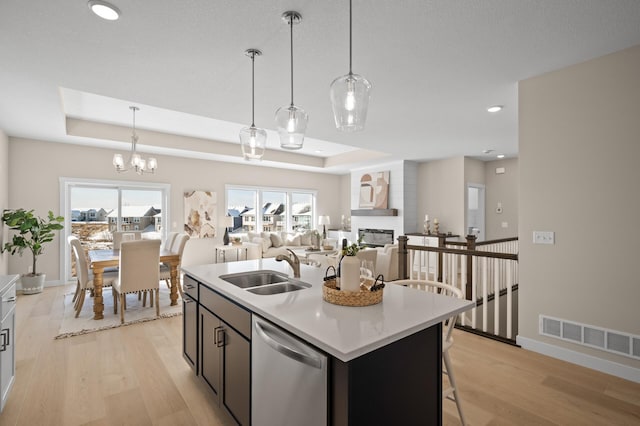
{"x": 288, "y": 378}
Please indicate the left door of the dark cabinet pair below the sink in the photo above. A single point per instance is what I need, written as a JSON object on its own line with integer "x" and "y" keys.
{"x": 210, "y": 354}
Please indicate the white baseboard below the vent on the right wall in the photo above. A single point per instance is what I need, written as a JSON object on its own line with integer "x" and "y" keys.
{"x": 584, "y": 360}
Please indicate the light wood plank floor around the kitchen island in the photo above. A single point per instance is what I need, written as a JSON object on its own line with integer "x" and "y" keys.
{"x": 136, "y": 375}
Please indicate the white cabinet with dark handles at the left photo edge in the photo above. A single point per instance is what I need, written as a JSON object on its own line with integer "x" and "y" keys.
{"x": 7, "y": 335}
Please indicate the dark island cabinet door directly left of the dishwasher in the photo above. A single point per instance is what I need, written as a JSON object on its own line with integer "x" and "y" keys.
{"x": 237, "y": 376}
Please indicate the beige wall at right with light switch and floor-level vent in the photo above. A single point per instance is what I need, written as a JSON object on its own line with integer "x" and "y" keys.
{"x": 579, "y": 149}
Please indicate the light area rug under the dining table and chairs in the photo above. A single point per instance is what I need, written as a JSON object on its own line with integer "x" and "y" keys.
{"x": 135, "y": 313}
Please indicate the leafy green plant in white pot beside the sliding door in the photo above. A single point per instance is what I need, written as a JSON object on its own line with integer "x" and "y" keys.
{"x": 33, "y": 233}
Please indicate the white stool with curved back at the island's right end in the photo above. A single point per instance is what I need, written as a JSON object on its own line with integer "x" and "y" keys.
{"x": 451, "y": 392}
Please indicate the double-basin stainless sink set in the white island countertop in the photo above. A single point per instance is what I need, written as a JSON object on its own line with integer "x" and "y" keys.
{"x": 264, "y": 282}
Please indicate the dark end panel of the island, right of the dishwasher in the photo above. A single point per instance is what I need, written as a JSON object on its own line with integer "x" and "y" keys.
{"x": 400, "y": 383}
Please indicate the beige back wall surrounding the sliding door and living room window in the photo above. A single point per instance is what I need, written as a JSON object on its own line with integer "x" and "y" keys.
{"x": 40, "y": 190}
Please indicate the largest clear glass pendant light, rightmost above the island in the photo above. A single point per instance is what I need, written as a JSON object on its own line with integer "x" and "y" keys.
{"x": 350, "y": 96}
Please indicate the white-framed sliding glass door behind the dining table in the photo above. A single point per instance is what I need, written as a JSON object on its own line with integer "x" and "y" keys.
{"x": 93, "y": 209}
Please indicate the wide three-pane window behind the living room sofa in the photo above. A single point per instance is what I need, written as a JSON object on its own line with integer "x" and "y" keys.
{"x": 280, "y": 209}
